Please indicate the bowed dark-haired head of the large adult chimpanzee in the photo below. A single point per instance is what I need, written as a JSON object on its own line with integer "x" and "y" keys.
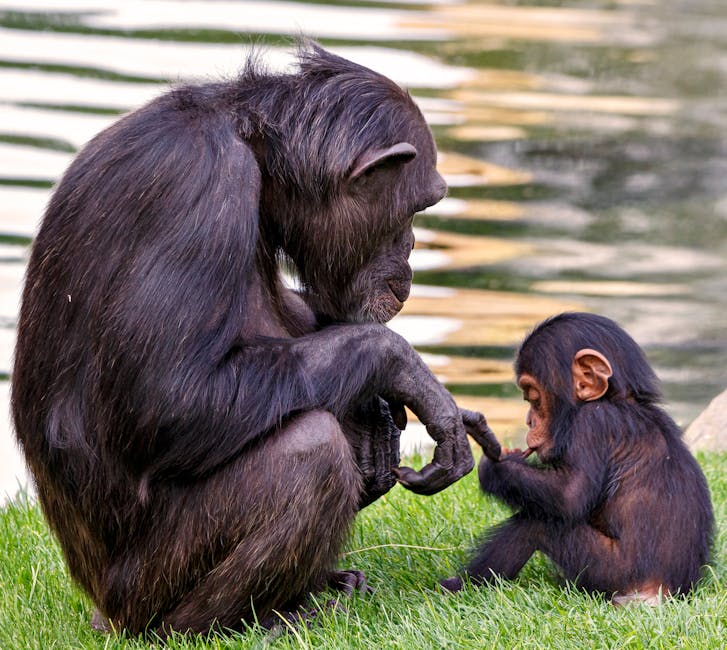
{"x": 360, "y": 161}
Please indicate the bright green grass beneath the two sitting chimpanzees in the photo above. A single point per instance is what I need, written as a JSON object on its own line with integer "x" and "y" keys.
{"x": 404, "y": 543}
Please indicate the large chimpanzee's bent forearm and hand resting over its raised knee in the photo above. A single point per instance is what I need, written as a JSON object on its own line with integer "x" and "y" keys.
{"x": 254, "y": 388}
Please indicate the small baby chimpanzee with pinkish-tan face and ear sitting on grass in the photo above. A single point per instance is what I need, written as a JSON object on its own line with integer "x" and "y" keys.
{"x": 618, "y": 502}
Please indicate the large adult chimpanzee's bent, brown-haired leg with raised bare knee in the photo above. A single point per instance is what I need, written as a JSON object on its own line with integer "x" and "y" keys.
{"x": 257, "y": 536}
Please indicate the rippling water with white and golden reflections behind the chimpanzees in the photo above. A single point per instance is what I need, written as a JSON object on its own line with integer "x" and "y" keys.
{"x": 584, "y": 144}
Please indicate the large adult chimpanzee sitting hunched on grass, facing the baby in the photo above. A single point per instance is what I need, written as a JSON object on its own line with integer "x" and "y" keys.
{"x": 201, "y": 437}
